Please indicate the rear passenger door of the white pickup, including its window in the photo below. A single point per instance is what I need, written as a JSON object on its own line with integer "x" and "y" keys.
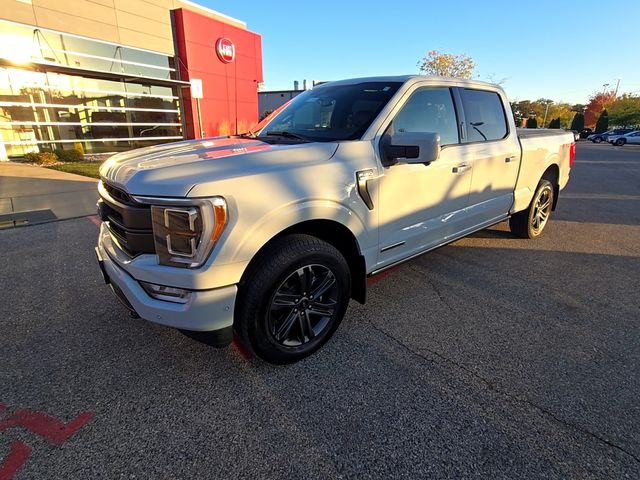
{"x": 494, "y": 150}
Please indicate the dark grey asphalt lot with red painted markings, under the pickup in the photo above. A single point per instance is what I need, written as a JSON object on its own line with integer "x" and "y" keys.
{"x": 493, "y": 357}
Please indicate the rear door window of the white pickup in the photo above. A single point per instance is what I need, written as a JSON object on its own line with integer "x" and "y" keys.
{"x": 484, "y": 115}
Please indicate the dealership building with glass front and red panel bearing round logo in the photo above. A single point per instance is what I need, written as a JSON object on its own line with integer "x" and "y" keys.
{"x": 111, "y": 75}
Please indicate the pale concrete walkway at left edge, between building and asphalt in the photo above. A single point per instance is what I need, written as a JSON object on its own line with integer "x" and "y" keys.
{"x": 30, "y": 194}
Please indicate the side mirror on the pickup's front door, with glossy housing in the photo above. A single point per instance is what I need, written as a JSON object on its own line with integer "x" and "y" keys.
{"x": 411, "y": 147}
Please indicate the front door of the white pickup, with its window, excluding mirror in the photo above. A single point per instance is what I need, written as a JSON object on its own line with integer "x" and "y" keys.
{"x": 421, "y": 206}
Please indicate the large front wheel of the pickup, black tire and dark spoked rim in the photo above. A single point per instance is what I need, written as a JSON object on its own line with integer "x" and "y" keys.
{"x": 292, "y": 298}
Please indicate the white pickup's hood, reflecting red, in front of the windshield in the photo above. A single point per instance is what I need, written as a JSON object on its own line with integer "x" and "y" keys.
{"x": 172, "y": 170}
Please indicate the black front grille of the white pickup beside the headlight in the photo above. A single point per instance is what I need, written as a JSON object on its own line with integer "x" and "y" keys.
{"x": 129, "y": 222}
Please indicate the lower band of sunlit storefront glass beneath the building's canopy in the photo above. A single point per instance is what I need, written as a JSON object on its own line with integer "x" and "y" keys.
{"x": 51, "y": 110}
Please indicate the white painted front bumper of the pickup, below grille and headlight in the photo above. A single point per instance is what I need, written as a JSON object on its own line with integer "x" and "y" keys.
{"x": 205, "y": 311}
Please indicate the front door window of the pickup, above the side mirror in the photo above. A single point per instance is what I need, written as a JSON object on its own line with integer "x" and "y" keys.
{"x": 428, "y": 110}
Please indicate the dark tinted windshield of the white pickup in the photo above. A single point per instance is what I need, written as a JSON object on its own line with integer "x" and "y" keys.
{"x": 330, "y": 113}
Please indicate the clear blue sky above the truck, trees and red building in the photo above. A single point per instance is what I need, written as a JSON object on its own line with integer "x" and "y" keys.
{"x": 559, "y": 50}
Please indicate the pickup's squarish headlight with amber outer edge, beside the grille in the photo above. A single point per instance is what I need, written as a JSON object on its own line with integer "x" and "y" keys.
{"x": 185, "y": 232}
